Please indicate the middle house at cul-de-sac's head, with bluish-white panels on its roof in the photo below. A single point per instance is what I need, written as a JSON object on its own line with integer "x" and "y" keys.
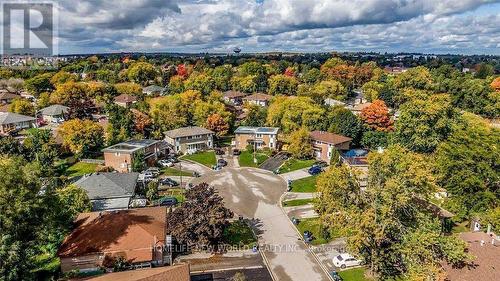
{"x": 259, "y": 137}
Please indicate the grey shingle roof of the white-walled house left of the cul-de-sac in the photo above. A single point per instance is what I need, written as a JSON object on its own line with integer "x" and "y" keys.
{"x": 109, "y": 185}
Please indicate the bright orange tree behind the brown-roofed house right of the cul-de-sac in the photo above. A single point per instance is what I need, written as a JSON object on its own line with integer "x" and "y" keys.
{"x": 376, "y": 116}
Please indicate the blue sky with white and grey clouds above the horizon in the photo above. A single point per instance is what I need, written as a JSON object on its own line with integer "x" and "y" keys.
{"x": 428, "y": 26}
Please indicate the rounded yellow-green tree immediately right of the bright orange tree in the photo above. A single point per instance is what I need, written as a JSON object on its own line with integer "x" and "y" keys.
{"x": 424, "y": 123}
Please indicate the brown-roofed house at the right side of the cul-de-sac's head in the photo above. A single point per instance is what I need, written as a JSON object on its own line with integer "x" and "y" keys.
{"x": 324, "y": 143}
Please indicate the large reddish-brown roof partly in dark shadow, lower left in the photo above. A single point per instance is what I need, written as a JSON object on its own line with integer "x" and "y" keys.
{"x": 130, "y": 233}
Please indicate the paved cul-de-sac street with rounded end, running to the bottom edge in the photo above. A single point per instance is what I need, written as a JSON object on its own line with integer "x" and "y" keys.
{"x": 255, "y": 194}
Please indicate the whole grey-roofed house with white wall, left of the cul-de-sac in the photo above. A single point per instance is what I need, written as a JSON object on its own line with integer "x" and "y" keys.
{"x": 109, "y": 191}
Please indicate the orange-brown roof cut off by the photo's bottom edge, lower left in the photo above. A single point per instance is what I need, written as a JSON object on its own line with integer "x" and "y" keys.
{"x": 176, "y": 272}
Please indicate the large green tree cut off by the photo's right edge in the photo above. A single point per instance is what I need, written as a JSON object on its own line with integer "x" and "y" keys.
{"x": 467, "y": 166}
